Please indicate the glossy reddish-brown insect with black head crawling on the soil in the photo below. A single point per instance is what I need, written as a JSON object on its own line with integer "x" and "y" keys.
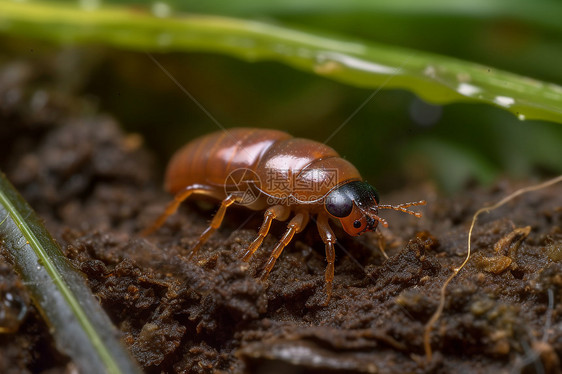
{"x": 271, "y": 170}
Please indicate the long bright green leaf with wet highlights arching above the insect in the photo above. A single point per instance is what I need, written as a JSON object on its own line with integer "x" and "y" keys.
{"x": 435, "y": 78}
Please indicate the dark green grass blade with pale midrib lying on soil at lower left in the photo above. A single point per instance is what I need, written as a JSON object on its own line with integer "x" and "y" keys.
{"x": 81, "y": 328}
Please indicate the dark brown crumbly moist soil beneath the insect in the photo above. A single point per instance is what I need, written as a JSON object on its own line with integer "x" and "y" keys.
{"x": 96, "y": 187}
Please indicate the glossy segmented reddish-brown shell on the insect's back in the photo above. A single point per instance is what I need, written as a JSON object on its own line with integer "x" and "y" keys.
{"x": 302, "y": 169}
